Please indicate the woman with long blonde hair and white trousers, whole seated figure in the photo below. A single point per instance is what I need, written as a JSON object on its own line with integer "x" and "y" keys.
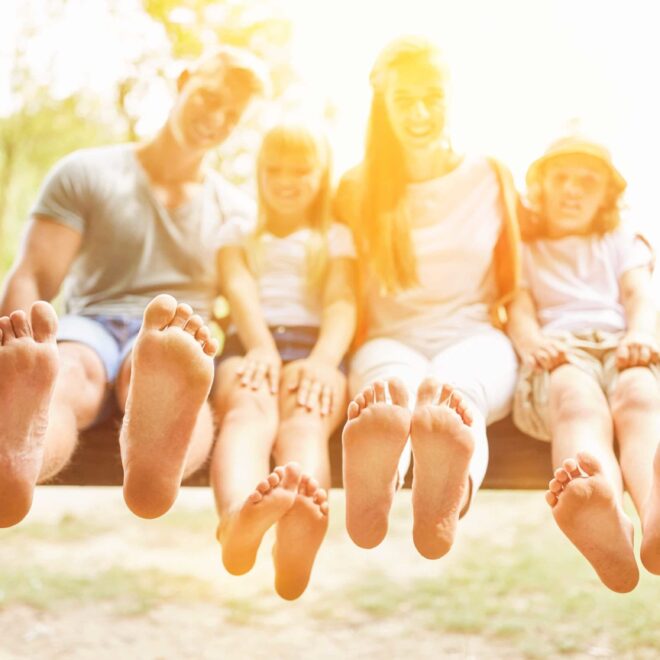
{"x": 438, "y": 240}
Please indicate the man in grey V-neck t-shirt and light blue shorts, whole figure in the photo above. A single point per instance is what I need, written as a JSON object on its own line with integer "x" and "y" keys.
{"x": 119, "y": 227}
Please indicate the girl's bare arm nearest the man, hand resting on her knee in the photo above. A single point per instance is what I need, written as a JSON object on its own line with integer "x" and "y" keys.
{"x": 262, "y": 359}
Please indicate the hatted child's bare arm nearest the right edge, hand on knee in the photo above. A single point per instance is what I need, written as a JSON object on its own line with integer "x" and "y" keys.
{"x": 639, "y": 346}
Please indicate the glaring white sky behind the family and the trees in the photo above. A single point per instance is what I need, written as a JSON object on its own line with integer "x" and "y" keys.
{"x": 521, "y": 69}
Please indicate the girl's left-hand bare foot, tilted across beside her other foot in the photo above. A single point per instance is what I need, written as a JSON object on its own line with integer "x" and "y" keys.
{"x": 240, "y": 533}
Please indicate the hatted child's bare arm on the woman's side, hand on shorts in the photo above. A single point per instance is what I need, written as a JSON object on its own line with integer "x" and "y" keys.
{"x": 532, "y": 346}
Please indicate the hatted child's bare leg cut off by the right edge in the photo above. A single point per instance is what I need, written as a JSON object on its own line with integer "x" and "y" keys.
{"x": 636, "y": 413}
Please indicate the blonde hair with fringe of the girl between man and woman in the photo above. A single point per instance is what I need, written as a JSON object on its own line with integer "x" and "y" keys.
{"x": 300, "y": 139}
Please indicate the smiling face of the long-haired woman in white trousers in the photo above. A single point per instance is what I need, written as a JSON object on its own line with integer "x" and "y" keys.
{"x": 414, "y": 96}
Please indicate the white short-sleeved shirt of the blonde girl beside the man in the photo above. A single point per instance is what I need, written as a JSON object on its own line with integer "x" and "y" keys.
{"x": 284, "y": 292}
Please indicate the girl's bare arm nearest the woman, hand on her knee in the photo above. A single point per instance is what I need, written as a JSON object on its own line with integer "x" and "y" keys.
{"x": 315, "y": 375}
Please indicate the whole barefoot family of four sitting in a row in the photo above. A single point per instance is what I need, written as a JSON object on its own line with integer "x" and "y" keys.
{"x": 423, "y": 288}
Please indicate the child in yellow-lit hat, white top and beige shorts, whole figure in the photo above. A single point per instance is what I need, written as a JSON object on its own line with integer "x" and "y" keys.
{"x": 585, "y": 330}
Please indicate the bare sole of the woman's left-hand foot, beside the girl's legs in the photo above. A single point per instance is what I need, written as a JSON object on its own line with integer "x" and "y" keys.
{"x": 373, "y": 439}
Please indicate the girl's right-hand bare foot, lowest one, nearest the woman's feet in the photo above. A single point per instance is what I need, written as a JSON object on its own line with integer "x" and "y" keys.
{"x": 299, "y": 535}
